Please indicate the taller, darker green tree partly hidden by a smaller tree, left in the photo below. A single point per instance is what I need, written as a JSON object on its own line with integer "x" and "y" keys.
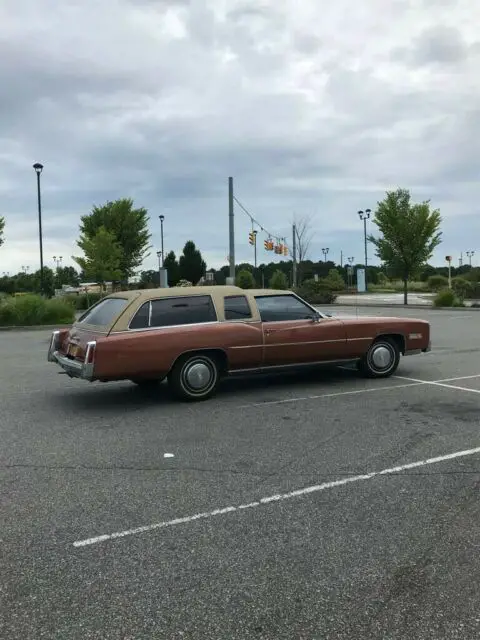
{"x": 129, "y": 228}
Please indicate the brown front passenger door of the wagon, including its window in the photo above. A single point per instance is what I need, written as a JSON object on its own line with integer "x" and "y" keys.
{"x": 293, "y": 334}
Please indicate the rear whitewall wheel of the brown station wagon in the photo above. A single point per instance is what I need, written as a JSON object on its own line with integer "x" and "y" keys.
{"x": 195, "y": 377}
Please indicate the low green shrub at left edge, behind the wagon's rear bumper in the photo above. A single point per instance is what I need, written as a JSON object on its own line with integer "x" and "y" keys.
{"x": 33, "y": 310}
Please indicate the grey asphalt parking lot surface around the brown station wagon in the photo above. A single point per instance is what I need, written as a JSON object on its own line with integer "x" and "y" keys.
{"x": 254, "y": 515}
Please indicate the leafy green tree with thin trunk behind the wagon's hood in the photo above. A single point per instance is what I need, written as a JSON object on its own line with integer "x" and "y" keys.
{"x": 410, "y": 234}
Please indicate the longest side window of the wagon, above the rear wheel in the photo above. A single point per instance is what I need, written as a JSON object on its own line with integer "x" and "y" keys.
{"x": 168, "y": 312}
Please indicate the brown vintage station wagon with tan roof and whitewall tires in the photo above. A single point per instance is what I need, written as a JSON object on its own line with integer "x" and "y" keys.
{"x": 196, "y": 335}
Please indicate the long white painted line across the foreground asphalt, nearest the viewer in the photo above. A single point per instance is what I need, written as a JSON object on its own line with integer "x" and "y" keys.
{"x": 275, "y": 498}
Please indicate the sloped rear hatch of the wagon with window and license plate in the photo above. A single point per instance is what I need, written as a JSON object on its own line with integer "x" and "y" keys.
{"x": 95, "y": 323}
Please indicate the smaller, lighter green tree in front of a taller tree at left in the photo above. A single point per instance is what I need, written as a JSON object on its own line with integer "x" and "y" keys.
{"x": 102, "y": 257}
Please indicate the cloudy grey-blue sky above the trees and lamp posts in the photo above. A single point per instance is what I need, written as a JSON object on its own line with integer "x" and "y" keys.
{"x": 314, "y": 109}
